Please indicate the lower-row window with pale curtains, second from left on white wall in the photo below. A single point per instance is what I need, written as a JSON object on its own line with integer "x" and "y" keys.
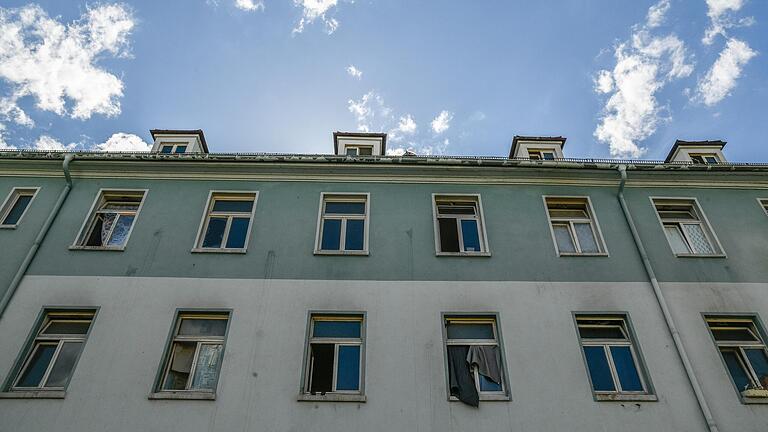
{"x": 193, "y": 358}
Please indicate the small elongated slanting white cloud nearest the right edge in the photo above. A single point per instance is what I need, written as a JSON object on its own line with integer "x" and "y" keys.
{"x": 722, "y": 77}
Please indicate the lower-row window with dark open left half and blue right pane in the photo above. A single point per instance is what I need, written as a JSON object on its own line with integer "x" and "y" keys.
{"x": 335, "y": 356}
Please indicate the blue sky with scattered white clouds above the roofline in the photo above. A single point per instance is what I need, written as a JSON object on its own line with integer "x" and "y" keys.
{"x": 612, "y": 78}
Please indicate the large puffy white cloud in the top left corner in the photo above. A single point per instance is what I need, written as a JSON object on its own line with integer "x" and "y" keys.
{"x": 56, "y": 63}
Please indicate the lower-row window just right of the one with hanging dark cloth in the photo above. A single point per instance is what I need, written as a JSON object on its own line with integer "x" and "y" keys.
{"x": 613, "y": 362}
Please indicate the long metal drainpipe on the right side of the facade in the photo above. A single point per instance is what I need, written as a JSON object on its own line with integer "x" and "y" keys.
{"x": 711, "y": 424}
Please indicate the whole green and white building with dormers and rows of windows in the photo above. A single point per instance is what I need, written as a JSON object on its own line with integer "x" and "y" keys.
{"x": 184, "y": 290}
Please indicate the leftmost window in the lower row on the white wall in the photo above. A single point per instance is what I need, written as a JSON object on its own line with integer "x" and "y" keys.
{"x": 49, "y": 361}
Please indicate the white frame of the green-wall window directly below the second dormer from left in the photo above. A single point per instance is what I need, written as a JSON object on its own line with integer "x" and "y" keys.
{"x": 343, "y": 197}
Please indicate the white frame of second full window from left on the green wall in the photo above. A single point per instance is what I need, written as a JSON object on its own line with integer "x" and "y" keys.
{"x": 234, "y": 195}
